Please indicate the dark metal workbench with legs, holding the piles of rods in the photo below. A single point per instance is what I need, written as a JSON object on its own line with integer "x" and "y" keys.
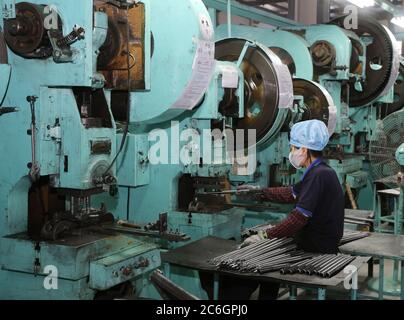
{"x": 197, "y": 254}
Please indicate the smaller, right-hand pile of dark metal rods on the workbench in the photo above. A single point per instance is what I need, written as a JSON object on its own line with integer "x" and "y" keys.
{"x": 325, "y": 266}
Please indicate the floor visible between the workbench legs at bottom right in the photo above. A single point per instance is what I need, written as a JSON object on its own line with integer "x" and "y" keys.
{"x": 340, "y": 293}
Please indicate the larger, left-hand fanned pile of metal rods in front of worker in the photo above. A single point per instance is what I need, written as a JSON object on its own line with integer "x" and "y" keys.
{"x": 262, "y": 257}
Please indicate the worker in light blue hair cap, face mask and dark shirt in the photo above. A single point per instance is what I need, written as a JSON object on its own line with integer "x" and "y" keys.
{"x": 317, "y": 221}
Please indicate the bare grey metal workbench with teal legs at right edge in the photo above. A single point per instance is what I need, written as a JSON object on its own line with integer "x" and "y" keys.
{"x": 380, "y": 246}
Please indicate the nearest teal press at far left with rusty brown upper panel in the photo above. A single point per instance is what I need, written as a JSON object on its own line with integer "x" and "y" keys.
{"x": 60, "y": 74}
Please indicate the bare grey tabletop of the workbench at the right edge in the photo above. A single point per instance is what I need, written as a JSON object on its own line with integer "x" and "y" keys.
{"x": 377, "y": 244}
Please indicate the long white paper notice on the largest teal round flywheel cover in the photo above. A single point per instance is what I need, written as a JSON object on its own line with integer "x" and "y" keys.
{"x": 202, "y": 71}
